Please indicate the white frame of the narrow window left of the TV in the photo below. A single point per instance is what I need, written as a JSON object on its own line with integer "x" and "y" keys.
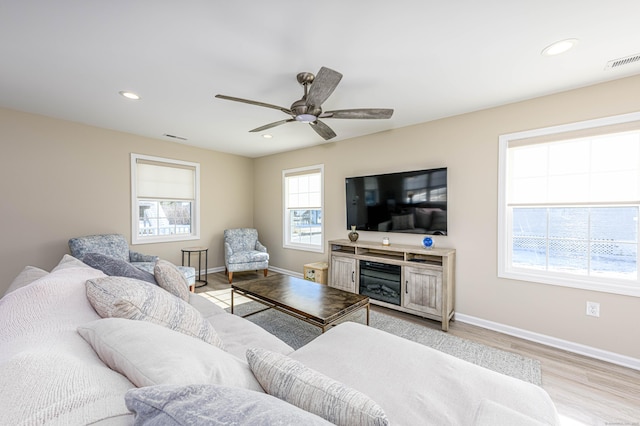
{"x": 286, "y": 236}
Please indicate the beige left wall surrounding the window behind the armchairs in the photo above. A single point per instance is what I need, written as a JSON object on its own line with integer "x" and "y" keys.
{"x": 60, "y": 179}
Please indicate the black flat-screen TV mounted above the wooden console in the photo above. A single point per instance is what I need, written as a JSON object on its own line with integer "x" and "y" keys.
{"x": 409, "y": 202}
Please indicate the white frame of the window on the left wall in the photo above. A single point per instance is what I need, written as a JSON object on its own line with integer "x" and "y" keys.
{"x": 135, "y": 210}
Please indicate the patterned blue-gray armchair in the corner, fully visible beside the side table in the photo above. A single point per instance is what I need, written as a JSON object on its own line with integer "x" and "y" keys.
{"x": 243, "y": 252}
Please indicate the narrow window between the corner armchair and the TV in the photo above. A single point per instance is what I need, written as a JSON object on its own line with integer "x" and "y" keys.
{"x": 303, "y": 208}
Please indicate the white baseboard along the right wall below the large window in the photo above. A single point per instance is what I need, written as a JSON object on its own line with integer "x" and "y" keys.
{"x": 612, "y": 357}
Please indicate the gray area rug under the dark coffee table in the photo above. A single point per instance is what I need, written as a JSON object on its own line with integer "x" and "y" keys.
{"x": 297, "y": 333}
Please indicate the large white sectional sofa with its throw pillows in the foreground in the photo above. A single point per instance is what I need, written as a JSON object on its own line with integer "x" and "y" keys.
{"x": 62, "y": 363}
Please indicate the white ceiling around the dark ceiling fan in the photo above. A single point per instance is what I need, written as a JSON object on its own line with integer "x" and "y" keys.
{"x": 426, "y": 59}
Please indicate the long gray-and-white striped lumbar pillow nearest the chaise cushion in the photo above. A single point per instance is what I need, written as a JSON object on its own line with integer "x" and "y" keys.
{"x": 312, "y": 391}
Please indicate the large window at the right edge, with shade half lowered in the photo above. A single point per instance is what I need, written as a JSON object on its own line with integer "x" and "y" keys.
{"x": 569, "y": 204}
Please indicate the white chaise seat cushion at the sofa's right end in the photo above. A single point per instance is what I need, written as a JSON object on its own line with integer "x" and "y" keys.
{"x": 401, "y": 375}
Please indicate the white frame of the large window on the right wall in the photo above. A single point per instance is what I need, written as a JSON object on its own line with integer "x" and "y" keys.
{"x": 561, "y": 132}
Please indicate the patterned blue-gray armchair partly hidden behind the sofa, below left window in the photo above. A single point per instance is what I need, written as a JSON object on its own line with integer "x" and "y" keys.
{"x": 116, "y": 246}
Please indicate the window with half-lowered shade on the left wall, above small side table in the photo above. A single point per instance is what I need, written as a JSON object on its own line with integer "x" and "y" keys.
{"x": 164, "y": 200}
